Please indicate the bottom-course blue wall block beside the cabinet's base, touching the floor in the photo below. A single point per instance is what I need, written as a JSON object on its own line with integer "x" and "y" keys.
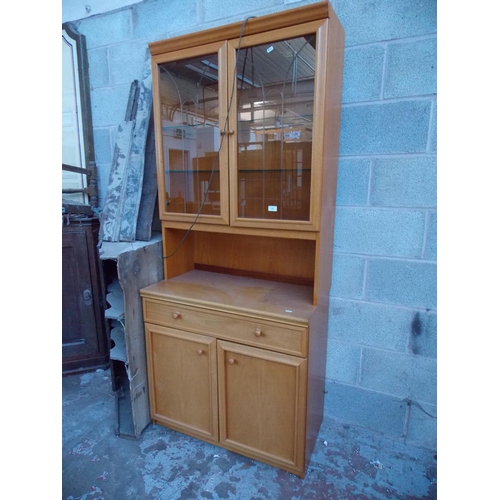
{"x": 357, "y": 406}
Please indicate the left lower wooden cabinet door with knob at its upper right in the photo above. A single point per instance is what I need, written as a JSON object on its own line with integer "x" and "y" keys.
{"x": 182, "y": 373}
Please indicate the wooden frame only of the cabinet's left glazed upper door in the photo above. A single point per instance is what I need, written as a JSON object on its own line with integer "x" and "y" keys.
{"x": 219, "y": 48}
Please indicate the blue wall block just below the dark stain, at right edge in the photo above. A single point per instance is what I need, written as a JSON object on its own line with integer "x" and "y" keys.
{"x": 402, "y": 375}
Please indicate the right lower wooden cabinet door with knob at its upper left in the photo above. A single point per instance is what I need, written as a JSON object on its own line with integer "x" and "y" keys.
{"x": 262, "y": 404}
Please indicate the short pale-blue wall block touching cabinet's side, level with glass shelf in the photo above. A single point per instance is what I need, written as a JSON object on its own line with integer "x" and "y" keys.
{"x": 353, "y": 182}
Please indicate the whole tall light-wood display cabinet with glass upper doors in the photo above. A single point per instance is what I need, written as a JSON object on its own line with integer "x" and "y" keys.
{"x": 247, "y": 129}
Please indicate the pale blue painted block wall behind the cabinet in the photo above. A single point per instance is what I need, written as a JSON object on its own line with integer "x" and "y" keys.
{"x": 381, "y": 365}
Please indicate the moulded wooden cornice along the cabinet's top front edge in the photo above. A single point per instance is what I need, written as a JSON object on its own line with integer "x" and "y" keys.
{"x": 307, "y": 13}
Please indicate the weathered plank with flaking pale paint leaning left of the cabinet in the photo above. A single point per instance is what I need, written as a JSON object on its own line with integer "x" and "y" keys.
{"x": 121, "y": 207}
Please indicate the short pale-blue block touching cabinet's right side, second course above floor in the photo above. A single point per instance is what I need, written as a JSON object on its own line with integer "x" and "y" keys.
{"x": 343, "y": 362}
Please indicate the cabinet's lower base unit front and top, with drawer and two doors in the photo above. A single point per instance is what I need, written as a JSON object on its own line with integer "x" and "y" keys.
{"x": 234, "y": 371}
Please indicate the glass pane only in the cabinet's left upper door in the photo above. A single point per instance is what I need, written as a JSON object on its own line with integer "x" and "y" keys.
{"x": 189, "y": 99}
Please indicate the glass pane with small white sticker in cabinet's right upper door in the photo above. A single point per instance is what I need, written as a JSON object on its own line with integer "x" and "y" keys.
{"x": 275, "y": 96}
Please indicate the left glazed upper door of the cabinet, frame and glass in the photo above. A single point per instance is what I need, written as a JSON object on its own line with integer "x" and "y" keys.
{"x": 190, "y": 106}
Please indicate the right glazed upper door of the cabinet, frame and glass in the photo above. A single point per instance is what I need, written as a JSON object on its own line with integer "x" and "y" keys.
{"x": 273, "y": 177}
